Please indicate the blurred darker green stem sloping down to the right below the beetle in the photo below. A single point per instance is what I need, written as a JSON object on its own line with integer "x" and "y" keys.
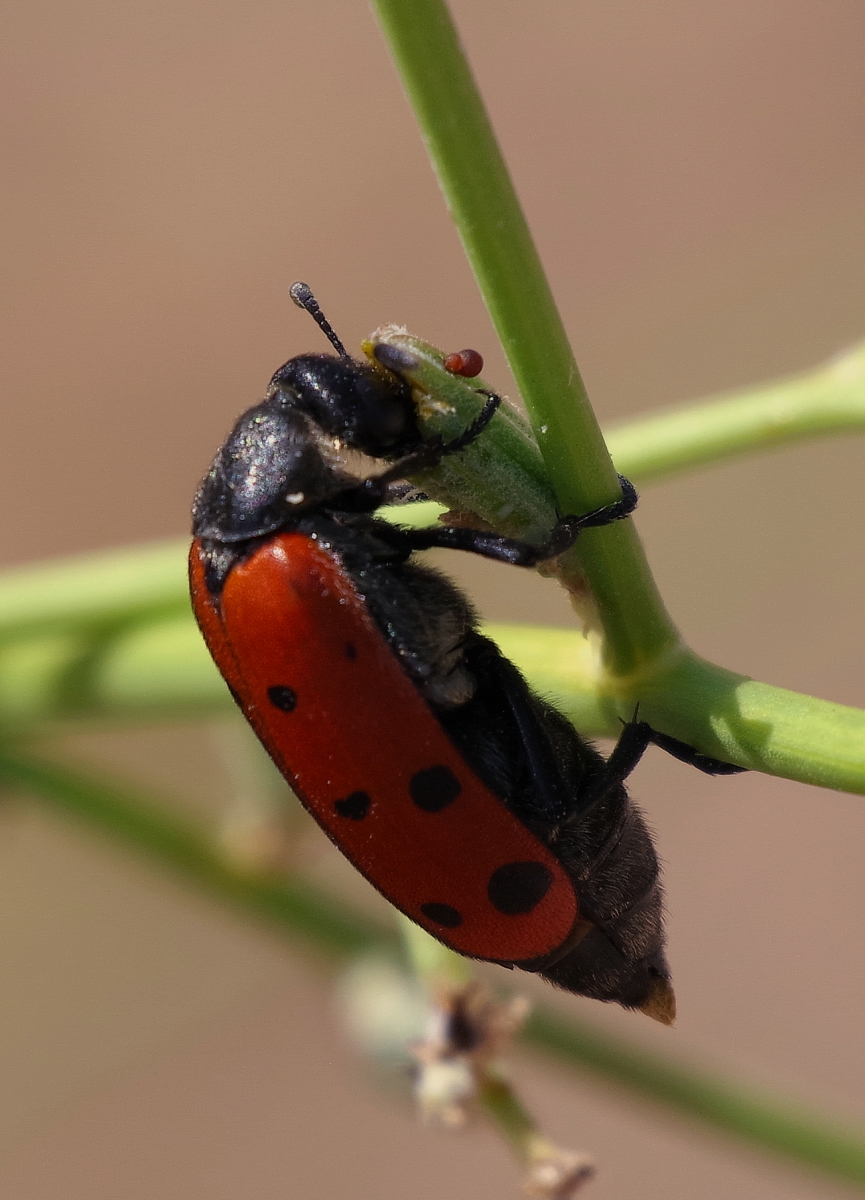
{"x": 298, "y": 909}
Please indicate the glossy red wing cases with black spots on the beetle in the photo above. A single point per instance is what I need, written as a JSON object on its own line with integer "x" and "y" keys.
{"x": 358, "y": 742}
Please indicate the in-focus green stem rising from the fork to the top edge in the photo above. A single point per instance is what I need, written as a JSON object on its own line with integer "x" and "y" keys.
{"x": 482, "y": 199}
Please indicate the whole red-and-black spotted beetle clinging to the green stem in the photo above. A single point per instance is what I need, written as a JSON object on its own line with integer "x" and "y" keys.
{"x": 470, "y": 802}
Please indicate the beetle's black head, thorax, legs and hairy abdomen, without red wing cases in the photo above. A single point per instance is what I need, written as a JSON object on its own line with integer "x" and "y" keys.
{"x": 285, "y": 467}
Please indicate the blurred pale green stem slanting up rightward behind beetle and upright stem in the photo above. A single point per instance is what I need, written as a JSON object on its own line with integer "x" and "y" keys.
{"x": 117, "y": 590}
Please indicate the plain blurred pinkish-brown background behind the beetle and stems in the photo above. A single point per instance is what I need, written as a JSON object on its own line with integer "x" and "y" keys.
{"x": 695, "y": 175}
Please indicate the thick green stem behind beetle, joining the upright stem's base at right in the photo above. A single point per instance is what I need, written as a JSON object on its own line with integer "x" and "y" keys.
{"x": 160, "y": 670}
